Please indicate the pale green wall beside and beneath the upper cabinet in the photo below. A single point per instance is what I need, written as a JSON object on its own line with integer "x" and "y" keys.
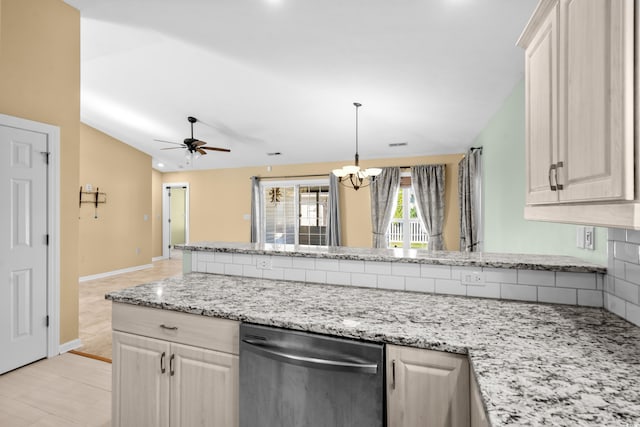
{"x": 505, "y": 230}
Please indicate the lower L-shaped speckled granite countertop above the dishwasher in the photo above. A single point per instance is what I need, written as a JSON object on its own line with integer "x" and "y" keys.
{"x": 536, "y": 364}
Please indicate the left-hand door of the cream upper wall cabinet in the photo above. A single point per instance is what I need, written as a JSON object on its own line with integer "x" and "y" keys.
{"x": 541, "y": 63}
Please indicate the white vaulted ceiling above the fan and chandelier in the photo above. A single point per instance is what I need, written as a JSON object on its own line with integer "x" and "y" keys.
{"x": 282, "y": 75}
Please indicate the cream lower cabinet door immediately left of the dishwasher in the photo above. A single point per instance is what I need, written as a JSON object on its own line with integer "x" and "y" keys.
{"x": 204, "y": 388}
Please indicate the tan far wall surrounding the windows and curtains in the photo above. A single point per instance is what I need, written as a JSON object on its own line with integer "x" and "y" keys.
{"x": 220, "y": 198}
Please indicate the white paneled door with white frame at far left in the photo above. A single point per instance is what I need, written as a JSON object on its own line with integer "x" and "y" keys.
{"x": 29, "y": 257}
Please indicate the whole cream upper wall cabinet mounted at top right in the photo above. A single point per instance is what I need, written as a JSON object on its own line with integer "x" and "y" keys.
{"x": 579, "y": 66}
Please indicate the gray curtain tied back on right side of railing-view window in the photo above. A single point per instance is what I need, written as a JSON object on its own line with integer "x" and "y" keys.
{"x": 428, "y": 186}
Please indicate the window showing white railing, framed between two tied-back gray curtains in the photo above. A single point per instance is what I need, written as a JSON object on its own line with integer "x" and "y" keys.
{"x": 406, "y": 229}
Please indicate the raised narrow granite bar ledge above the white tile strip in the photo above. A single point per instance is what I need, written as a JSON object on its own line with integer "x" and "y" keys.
{"x": 472, "y": 259}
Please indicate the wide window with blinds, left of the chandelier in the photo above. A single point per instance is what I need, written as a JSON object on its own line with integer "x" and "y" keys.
{"x": 295, "y": 213}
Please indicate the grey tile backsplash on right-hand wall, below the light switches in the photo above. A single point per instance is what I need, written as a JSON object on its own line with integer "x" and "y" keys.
{"x": 622, "y": 283}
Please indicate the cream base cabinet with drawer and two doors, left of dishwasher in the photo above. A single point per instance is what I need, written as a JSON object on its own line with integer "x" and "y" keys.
{"x": 173, "y": 369}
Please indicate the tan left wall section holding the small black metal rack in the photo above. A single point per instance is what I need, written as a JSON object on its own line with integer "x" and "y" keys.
{"x": 120, "y": 236}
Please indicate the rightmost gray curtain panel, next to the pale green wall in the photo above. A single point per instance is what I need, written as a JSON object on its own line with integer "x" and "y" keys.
{"x": 469, "y": 187}
